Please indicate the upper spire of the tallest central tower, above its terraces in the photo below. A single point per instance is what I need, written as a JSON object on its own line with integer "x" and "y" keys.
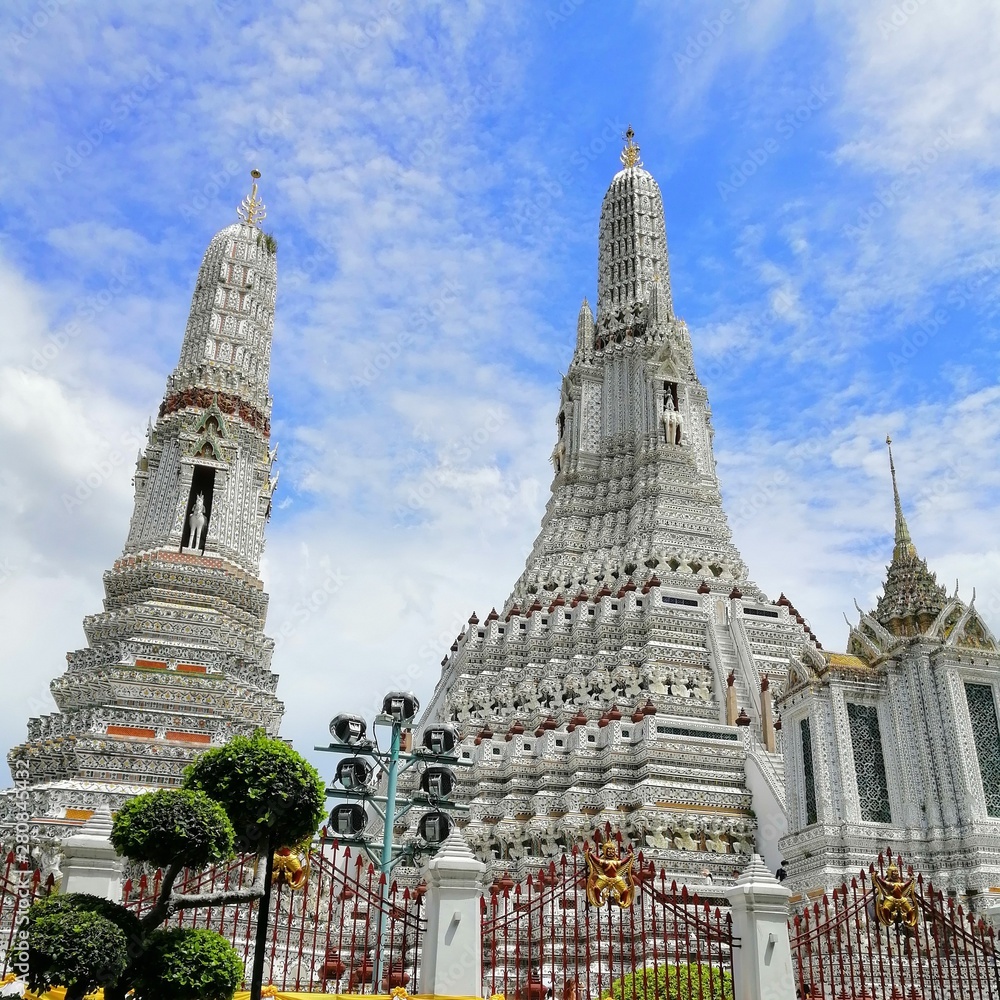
{"x": 634, "y": 481}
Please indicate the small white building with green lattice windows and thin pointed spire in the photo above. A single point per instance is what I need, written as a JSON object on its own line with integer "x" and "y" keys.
{"x": 896, "y": 743}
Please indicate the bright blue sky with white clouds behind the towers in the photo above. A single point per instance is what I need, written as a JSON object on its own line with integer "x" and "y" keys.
{"x": 433, "y": 174}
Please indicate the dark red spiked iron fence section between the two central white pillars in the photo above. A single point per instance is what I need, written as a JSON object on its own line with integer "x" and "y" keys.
{"x": 602, "y": 922}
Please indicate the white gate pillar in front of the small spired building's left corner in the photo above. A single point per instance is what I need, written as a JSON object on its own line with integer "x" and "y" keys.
{"x": 762, "y": 964}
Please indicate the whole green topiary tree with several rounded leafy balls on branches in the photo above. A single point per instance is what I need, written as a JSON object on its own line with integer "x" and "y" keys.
{"x": 254, "y": 793}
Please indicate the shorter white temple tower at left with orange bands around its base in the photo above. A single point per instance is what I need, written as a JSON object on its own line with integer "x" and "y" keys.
{"x": 177, "y": 661}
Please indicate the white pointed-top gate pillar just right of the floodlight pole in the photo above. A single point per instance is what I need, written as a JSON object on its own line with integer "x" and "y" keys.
{"x": 453, "y": 946}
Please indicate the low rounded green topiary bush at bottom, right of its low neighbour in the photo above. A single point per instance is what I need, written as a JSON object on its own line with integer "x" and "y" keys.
{"x": 185, "y": 963}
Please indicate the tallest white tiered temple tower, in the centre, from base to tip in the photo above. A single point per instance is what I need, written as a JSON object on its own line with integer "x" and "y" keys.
{"x": 625, "y": 680}
